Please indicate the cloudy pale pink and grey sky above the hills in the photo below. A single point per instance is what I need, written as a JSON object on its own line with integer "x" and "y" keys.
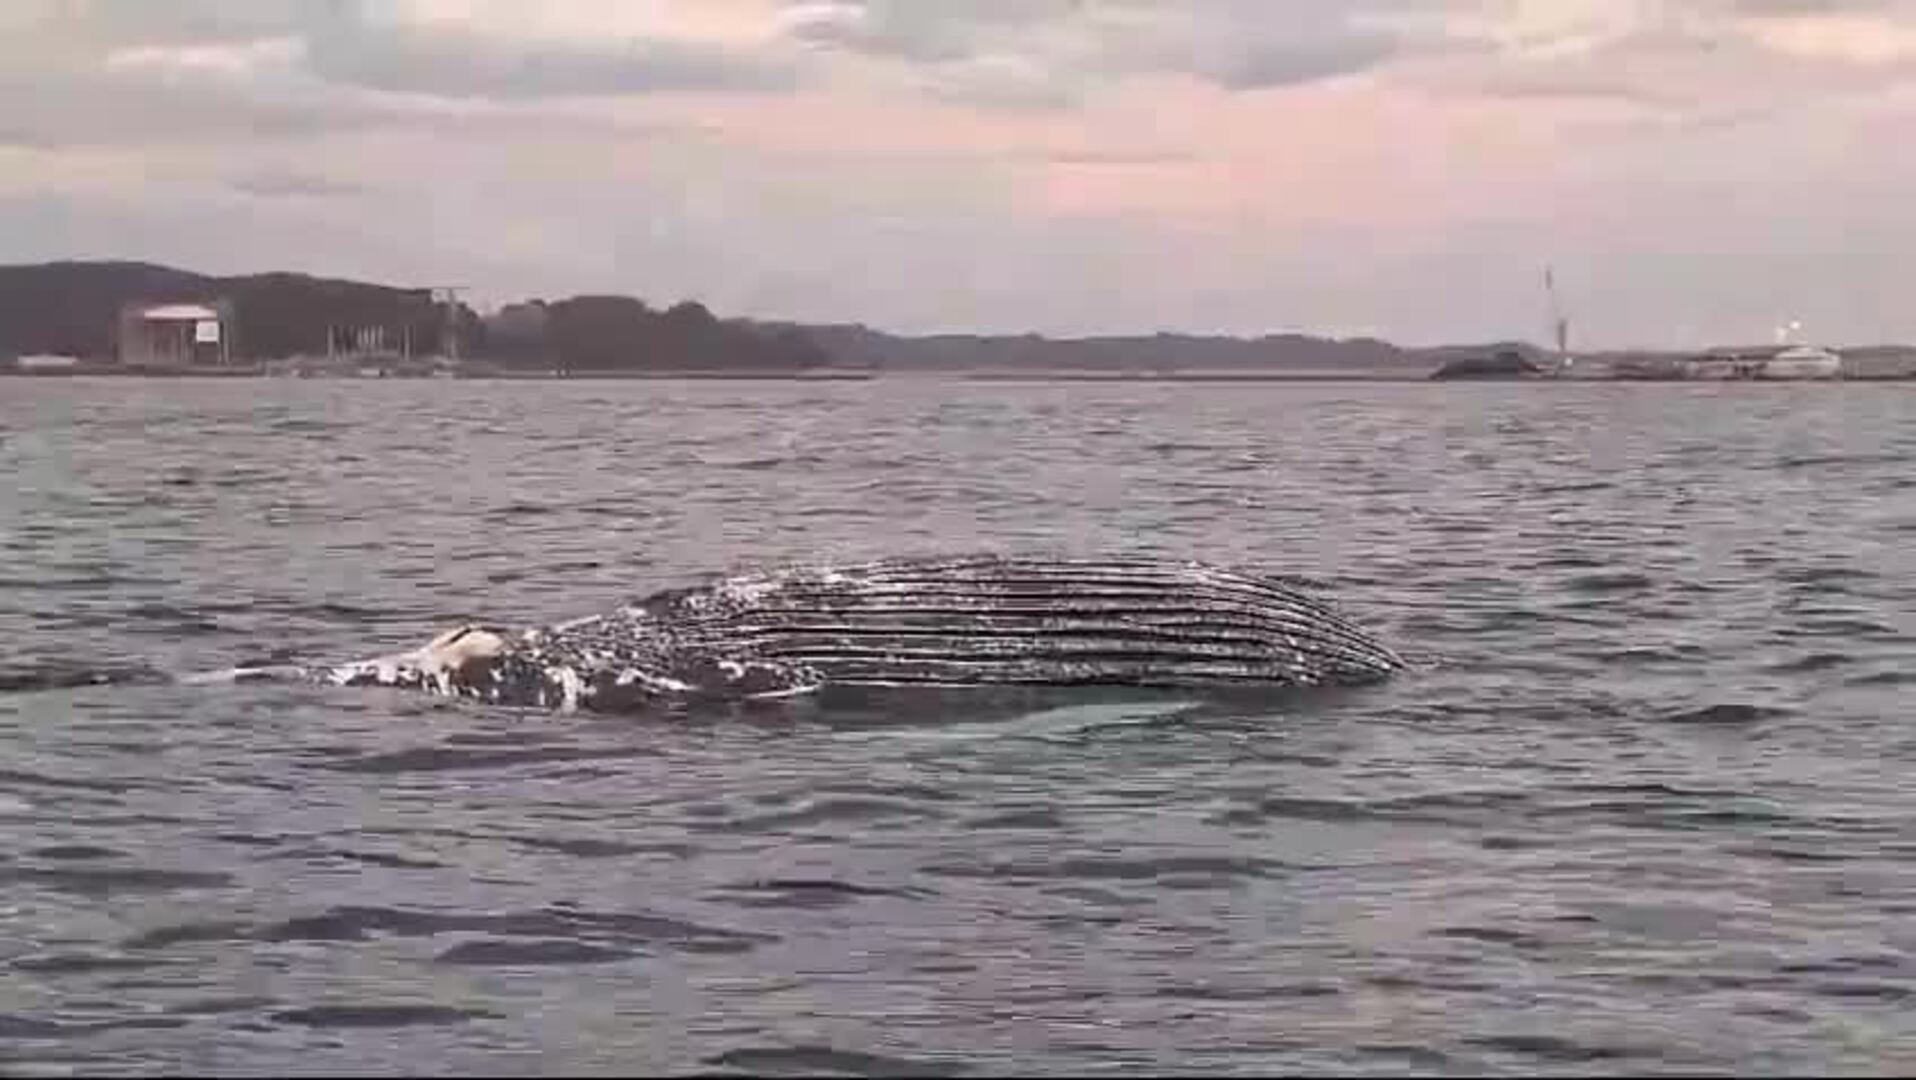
{"x": 1695, "y": 171}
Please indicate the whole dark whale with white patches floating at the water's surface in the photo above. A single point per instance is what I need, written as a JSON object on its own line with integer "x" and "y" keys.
{"x": 961, "y": 621}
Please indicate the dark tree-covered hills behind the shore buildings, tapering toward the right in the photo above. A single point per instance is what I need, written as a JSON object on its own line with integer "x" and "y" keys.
{"x": 72, "y": 309}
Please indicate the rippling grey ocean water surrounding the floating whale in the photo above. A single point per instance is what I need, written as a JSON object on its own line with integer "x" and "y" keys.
{"x": 1645, "y": 805}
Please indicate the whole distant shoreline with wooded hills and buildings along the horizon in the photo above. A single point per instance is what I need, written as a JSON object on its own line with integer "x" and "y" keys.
{"x": 116, "y": 319}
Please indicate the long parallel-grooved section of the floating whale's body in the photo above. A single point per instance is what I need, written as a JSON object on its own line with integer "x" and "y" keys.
{"x": 990, "y": 619}
